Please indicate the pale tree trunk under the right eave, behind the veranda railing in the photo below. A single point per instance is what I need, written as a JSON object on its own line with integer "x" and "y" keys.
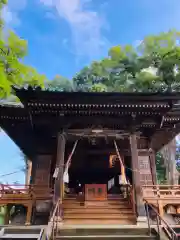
{"x": 169, "y": 156}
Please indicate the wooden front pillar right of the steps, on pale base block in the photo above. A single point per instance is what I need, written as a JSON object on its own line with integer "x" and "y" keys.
{"x": 140, "y": 209}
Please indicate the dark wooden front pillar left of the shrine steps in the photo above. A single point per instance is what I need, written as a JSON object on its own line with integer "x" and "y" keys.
{"x": 59, "y": 167}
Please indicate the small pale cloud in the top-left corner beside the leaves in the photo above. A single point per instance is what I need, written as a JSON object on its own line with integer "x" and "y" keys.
{"x": 10, "y": 13}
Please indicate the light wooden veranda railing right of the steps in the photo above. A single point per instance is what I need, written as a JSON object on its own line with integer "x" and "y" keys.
{"x": 163, "y": 192}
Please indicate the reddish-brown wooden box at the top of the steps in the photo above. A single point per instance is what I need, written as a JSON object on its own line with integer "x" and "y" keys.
{"x": 95, "y": 192}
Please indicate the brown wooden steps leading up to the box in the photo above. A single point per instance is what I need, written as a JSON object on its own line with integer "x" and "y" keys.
{"x": 115, "y": 210}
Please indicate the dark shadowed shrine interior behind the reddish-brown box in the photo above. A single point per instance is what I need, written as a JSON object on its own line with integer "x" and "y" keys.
{"x": 91, "y": 163}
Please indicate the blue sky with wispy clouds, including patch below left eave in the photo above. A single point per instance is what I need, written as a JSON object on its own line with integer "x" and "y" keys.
{"x": 65, "y": 35}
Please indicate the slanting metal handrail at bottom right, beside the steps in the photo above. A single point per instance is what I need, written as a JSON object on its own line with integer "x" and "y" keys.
{"x": 169, "y": 230}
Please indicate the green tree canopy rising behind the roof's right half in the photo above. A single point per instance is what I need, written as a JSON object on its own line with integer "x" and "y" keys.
{"x": 150, "y": 67}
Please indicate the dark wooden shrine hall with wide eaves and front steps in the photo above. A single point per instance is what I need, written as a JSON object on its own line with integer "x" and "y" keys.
{"x": 98, "y": 138}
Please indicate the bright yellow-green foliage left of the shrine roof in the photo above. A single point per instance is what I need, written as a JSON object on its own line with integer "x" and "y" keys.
{"x": 13, "y": 72}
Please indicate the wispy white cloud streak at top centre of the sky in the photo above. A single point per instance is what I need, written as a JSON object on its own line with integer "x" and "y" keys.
{"x": 86, "y": 25}
